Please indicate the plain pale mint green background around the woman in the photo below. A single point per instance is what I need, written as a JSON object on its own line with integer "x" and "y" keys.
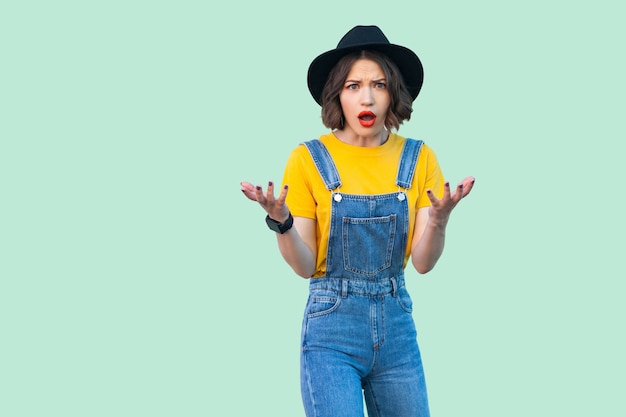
{"x": 137, "y": 281}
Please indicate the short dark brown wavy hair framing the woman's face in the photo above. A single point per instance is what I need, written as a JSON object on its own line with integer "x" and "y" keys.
{"x": 401, "y": 103}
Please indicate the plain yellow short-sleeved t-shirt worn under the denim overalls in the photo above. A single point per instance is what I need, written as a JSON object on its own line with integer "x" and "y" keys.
{"x": 362, "y": 171}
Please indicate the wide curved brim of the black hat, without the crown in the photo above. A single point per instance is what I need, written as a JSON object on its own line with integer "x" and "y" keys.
{"x": 407, "y": 61}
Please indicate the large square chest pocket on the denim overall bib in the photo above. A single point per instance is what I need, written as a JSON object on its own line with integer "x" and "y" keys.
{"x": 368, "y": 244}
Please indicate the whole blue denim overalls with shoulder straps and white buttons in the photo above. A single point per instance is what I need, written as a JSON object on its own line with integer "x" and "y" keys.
{"x": 358, "y": 334}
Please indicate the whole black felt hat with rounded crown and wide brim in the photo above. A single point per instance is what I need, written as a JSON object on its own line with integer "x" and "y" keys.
{"x": 370, "y": 38}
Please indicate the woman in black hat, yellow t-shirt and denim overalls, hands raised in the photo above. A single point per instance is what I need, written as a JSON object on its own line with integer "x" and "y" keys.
{"x": 355, "y": 206}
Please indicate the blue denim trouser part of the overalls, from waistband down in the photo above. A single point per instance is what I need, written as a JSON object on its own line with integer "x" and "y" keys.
{"x": 359, "y": 338}
